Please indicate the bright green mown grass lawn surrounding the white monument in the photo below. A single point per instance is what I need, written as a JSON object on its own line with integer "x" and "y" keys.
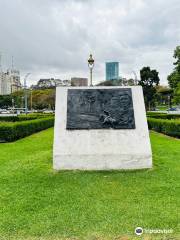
{"x": 39, "y": 203}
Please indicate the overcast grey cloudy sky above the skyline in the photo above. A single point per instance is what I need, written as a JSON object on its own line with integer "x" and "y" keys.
{"x": 53, "y": 38}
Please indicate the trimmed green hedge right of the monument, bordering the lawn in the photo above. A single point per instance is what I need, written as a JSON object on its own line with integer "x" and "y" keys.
{"x": 168, "y": 127}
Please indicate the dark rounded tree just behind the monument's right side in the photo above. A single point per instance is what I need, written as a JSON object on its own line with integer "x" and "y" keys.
{"x": 149, "y": 81}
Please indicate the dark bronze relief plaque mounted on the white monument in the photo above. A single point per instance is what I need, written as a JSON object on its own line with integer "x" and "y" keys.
{"x": 100, "y": 109}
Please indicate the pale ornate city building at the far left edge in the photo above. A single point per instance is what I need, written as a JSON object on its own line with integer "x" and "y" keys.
{"x": 9, "y": 81}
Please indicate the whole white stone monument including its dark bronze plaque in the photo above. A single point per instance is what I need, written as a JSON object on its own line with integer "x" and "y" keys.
{"x": 101, "y": 128}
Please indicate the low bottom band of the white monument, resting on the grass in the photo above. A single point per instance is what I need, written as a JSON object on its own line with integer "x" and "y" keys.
{"x": 101, "y": 162}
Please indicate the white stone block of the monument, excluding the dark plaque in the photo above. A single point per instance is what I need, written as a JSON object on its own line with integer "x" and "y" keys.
{"x": 101, "y": 149}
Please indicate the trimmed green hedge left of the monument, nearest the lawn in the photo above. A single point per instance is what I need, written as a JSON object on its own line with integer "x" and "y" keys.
{"x": 12, "y": 131}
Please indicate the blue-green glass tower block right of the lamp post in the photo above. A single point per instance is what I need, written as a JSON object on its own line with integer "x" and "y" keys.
{"x": 112, "y": 71}
